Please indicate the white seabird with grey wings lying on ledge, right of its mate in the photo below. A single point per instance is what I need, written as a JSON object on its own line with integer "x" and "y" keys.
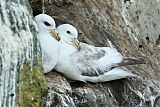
{"x": 84, "y": 62}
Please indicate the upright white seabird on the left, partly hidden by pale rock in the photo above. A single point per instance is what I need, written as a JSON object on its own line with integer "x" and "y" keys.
{"x": 49, "y": 41}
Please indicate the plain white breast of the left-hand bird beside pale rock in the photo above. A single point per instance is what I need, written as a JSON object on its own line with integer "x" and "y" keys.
{"x": 50, "y": 51}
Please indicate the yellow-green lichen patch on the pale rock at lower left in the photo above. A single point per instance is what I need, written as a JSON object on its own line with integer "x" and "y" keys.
{"x": 32, "y": 85}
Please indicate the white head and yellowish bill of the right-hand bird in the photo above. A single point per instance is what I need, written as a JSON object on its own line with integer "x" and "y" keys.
{"x": 69, "y": 34}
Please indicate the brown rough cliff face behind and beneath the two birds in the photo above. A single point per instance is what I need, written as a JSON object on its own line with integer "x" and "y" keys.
{"x": 133, "y": 27}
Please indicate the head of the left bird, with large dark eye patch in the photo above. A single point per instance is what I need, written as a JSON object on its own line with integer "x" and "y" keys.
{"x": 46, "y": 23}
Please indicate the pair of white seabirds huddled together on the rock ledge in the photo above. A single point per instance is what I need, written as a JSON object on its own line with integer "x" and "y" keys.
{"x": 79, "y": 61}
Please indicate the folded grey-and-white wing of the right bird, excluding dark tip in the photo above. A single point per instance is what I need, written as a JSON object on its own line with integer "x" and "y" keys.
{"x": 94, "y": 61}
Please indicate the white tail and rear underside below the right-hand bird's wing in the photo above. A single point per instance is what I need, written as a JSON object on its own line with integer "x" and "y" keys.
{"x": 114, "y": 74}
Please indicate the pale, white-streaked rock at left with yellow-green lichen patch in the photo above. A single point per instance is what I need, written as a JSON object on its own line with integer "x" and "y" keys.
{"x": 21, "y": 77}
